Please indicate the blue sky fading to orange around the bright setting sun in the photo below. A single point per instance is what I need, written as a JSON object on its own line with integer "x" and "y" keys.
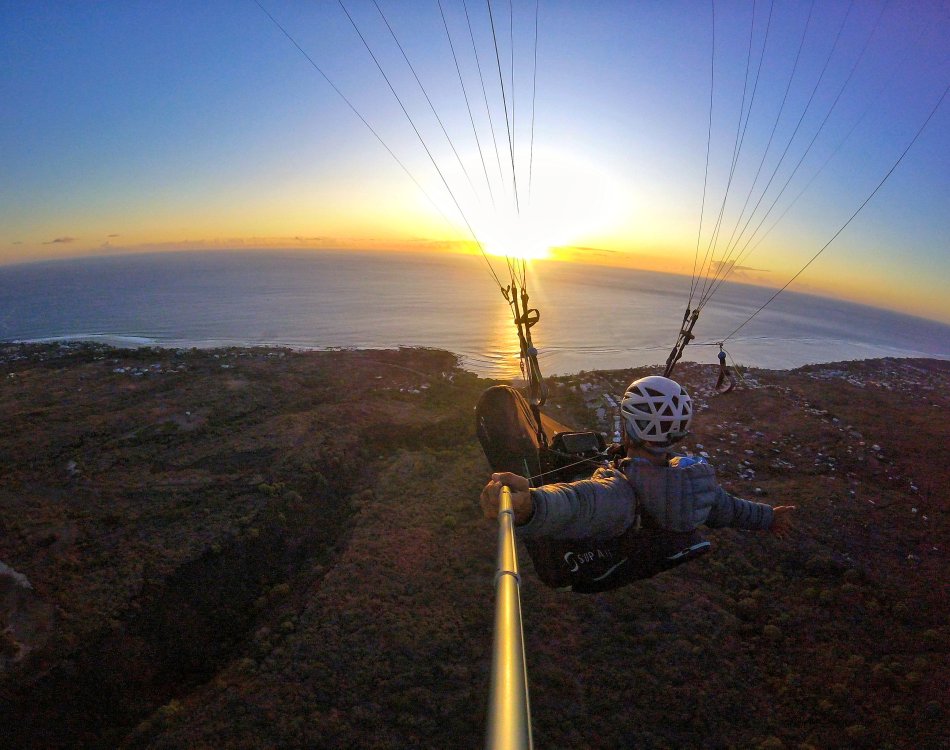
{"x": 133, "y": 126}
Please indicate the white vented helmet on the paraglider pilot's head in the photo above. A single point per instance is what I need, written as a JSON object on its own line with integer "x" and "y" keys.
{"x": 656, "y": 410}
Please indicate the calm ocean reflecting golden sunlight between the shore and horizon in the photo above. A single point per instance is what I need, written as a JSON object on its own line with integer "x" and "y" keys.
{"x": 591, "y": 317}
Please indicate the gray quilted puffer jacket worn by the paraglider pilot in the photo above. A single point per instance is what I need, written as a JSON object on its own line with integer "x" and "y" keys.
{"x": 674, "y": 498}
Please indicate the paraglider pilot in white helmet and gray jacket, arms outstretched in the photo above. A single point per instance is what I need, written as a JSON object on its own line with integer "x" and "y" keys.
{"x": 651, "y": 491}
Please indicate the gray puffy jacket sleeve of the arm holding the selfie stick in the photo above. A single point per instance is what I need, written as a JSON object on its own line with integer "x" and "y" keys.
{"x": 602, "y": 506}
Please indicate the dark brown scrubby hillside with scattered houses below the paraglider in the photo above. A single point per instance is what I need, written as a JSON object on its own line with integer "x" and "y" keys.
{"x": 265, "y": 548}
